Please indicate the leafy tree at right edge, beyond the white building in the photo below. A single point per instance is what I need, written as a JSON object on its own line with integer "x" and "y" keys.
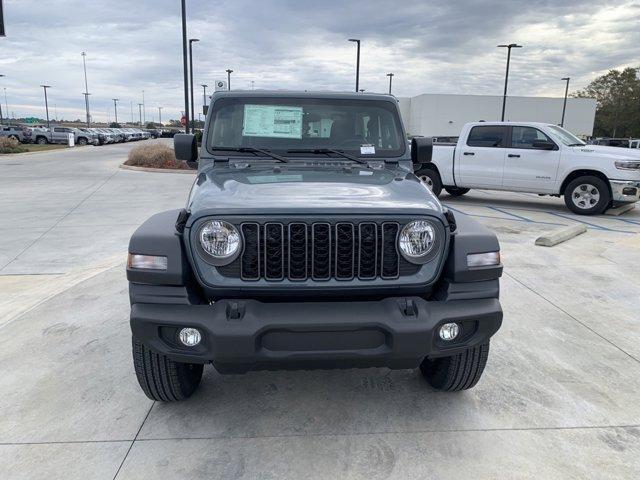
{"x": 617, "y": 94}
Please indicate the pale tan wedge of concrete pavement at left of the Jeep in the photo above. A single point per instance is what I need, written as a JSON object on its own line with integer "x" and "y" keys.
{"x": 28, "y": 292}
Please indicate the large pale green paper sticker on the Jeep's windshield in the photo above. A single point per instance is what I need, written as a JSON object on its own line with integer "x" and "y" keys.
{"x": 272, "y": 121}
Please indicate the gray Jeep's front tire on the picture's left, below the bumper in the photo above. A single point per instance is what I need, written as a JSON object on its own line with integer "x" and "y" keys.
{"x": 161, "y": 378}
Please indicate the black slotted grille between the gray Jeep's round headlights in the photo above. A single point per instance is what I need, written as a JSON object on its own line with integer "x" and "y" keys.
{"x": 319, "y": 251}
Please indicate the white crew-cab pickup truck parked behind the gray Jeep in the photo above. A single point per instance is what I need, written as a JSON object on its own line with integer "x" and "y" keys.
{"x": 536, "y": 158}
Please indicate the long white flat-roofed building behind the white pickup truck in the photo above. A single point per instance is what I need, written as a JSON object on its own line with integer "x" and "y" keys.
{"x": 440, "y": 115}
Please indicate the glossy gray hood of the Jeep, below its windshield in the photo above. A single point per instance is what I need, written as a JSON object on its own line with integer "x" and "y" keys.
{"x": 310, "y": 191}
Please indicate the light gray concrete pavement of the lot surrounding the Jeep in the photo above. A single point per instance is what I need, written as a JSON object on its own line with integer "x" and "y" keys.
{"x": 560, "y": 397}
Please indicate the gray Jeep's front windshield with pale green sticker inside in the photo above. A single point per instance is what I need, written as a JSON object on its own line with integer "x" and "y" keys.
{"x": 306, "y": 126}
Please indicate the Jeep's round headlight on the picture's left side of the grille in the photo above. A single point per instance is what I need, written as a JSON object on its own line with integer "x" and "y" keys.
{"x": 219, "y": 242}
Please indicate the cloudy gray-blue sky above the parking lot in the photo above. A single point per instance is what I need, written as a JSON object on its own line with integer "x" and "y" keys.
{"x": 431, "y": 47}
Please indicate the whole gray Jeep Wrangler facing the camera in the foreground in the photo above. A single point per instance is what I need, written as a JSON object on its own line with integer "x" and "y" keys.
{"x": 307, "y": 242}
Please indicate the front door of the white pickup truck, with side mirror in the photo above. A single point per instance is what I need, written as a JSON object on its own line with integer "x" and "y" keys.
{"x": 529, "y": 168}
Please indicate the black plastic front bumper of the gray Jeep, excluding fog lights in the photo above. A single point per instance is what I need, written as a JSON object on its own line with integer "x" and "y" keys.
{"x": 242, "y": 335}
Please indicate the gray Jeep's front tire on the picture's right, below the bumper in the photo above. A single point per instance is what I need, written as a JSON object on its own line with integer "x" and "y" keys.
{"x": 459, "y": 372}
